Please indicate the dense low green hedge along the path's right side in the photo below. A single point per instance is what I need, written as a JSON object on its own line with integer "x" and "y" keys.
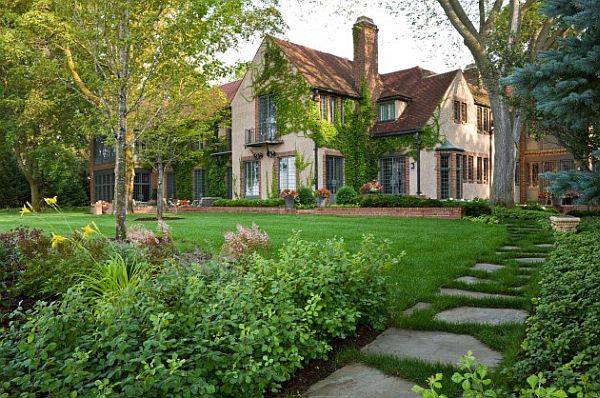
{"x": 563, "y": 337}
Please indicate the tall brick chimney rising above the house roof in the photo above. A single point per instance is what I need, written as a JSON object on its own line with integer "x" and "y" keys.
{"x": 366, "y": 55}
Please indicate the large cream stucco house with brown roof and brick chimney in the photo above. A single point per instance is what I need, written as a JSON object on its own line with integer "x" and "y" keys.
{"x": 260, "y": 162}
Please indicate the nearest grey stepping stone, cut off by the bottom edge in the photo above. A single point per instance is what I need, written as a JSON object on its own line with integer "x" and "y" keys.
{"x": 359, "y": 381}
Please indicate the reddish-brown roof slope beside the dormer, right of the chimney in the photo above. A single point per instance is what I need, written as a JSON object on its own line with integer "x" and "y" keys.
{"x": 426, "y": 94}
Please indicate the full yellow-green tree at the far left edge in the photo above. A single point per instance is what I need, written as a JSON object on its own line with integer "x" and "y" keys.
{"x": 41, "y": 119}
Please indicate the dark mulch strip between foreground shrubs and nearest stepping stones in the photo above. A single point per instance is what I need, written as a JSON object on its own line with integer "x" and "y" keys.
{"x": 319, "y": 369}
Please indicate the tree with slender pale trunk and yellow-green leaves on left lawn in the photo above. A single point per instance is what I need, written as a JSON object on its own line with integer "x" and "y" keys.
{"x": 116, "y": 49}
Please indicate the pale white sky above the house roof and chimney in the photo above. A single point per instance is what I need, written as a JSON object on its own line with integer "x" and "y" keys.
{"x": 324, "y": 29}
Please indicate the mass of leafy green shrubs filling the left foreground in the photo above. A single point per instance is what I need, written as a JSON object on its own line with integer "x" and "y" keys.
{"x": 212, "y": 330}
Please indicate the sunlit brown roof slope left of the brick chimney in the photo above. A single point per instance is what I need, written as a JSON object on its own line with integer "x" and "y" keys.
{"x": 321, "y": 70}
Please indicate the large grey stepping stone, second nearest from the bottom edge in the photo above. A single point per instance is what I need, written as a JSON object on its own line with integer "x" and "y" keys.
{"x": 431, "y": 346}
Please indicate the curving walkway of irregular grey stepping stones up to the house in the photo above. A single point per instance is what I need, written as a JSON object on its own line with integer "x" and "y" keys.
{"x": 437, "y": 347}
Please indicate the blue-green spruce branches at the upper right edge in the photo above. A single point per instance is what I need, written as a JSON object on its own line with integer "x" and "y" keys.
{"x": 562, "y": 84}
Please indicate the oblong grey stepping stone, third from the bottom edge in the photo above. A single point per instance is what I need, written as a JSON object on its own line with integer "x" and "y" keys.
{"x": 485, "y": 316}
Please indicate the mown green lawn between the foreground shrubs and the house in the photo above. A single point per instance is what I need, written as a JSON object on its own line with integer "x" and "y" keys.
{"x": 436, "y": 250}
